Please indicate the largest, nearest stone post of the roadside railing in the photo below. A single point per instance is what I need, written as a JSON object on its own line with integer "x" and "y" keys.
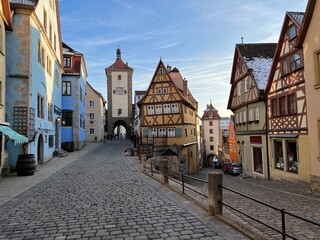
{"x": 214, "y": 193}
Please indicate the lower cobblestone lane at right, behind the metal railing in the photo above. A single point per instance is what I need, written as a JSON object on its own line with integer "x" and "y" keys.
{"x": 294, "y": 198}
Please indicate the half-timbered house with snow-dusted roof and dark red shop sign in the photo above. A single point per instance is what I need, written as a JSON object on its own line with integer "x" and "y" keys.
{"x": 250, "y": 71}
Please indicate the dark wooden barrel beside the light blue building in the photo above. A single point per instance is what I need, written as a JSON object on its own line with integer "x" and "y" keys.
{"x": 26, "y": 165}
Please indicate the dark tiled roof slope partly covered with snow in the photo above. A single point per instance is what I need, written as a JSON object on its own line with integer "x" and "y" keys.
{"x": 258, "y": 58}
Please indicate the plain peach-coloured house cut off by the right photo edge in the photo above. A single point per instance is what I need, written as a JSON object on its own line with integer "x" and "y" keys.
{"x": 309, "y": 39}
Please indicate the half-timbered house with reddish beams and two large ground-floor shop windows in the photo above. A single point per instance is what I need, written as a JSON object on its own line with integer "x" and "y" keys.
{"x": 287, "y": 111}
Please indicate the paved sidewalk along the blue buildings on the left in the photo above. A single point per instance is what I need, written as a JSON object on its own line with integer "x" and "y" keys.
{"x": 13, "y": 185}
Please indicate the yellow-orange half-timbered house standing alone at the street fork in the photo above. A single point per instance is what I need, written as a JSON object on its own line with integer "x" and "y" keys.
{"x": 169, "y": 116}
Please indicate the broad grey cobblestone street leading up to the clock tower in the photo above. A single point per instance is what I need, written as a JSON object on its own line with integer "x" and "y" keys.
{"x": 102, "y": 196}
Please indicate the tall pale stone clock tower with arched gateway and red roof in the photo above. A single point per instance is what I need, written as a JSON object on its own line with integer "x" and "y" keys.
{"x": 119, "y": 91}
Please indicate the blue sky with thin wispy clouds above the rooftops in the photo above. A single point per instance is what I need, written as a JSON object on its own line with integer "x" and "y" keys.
{"x": 196, "y": 36}
